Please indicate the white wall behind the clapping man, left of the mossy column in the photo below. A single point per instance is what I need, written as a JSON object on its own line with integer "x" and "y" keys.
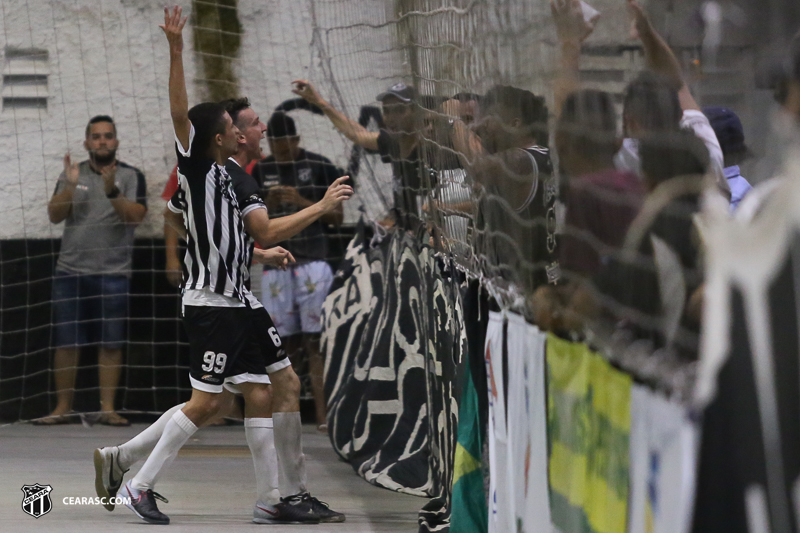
{"x": 105, "y": 57}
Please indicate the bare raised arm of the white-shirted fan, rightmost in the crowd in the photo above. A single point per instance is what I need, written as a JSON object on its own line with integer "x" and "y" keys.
{"x": 659, "y": 56}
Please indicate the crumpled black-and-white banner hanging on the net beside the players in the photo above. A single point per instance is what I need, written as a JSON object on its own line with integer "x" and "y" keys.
{"x": 393, "y": 335}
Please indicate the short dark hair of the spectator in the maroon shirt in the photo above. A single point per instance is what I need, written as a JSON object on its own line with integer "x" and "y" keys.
{"x": 589, "y": 122}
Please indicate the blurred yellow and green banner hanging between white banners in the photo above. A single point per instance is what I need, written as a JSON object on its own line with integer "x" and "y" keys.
{"x": 589, "y": 420}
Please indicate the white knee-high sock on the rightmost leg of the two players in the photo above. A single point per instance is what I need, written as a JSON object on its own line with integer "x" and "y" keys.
{"x": 289, "y": 448}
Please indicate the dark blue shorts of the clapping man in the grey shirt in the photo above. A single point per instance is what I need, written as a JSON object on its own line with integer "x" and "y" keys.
{"x": 89, "y": 309}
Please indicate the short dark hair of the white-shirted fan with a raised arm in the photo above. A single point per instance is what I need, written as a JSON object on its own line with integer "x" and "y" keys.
{"x": 652, "y": 100}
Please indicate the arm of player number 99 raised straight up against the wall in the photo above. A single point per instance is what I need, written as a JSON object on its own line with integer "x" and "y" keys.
{"x": 178, "y": 101}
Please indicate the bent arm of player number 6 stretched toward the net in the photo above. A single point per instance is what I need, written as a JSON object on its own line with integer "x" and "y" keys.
{"x": 268, "y": 232}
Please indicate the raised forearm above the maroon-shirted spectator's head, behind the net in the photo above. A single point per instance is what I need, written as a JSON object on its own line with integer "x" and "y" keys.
{"x": 572, "y": 29}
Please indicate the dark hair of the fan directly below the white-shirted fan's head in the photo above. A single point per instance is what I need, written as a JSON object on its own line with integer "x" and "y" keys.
{"x": 672, "y": 154}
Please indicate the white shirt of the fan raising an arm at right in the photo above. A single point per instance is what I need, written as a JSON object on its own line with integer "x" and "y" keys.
{"x": 628, "y": 156}
